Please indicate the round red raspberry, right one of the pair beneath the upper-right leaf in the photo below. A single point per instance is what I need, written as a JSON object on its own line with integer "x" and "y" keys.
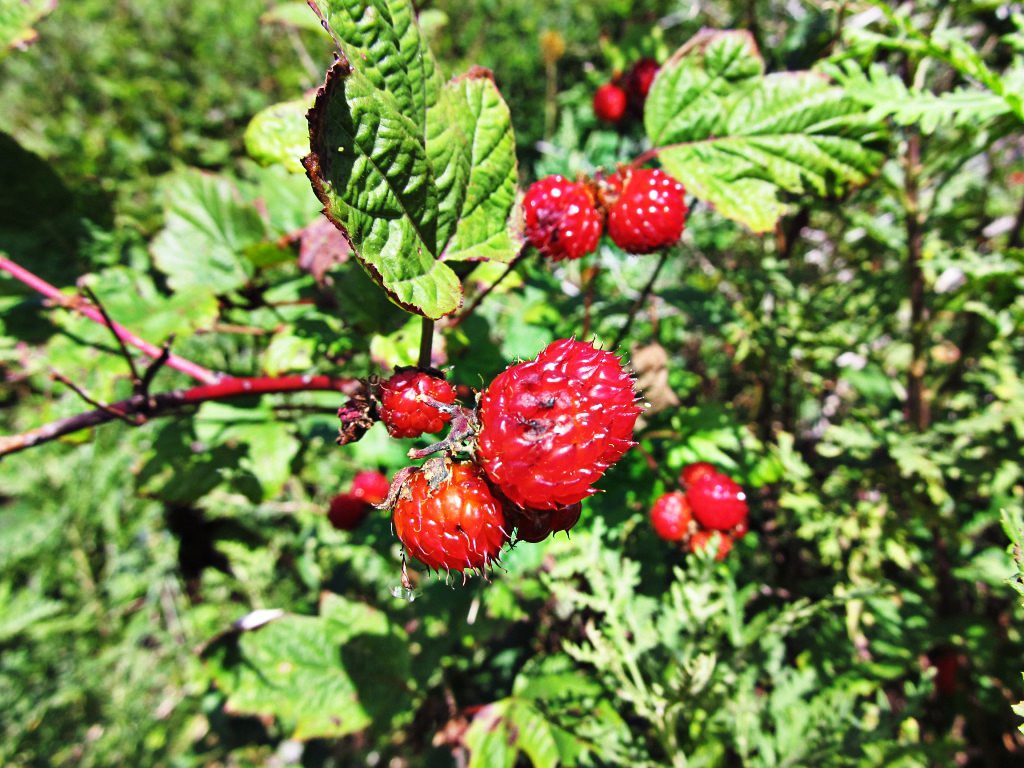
{"x": 647, "y": 209}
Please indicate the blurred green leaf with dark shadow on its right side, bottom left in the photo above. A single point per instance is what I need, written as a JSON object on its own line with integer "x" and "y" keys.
{"x": 317, "y": 675}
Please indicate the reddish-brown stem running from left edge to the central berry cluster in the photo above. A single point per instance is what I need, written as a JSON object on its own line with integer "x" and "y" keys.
{"x": 143, "y": 408}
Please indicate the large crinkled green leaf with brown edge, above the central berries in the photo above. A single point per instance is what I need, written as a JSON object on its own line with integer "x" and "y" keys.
{"x": 415, "y": 173}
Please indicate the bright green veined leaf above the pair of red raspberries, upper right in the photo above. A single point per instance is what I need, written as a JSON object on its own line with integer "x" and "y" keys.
{"x": 739, "y": 140}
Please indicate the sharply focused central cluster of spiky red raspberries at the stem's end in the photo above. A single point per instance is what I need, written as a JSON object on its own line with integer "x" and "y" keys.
{"x": 515, "y": 468}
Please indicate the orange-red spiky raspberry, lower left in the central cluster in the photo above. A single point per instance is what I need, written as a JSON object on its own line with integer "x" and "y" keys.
{"x": 451, "y": 520}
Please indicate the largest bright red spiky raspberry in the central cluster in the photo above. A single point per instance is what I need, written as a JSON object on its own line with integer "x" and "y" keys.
{"x": 551, "y": 426}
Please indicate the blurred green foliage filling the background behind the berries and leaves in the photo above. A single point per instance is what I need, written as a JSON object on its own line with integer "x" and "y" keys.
{"x": 859, "y": 371}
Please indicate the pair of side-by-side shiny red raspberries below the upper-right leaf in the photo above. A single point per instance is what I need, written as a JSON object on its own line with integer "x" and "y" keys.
{"x": 646, "y": 211}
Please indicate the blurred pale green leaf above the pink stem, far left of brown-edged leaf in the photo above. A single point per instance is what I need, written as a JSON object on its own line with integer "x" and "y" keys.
{"x": 207, "y": 228}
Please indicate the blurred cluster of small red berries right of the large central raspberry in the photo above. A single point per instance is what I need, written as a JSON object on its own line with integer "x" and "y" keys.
{"x": 712, "y": 507}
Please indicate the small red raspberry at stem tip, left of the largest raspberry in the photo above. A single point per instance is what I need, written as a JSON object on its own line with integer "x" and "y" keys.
{"x": 403, "y": 411}
